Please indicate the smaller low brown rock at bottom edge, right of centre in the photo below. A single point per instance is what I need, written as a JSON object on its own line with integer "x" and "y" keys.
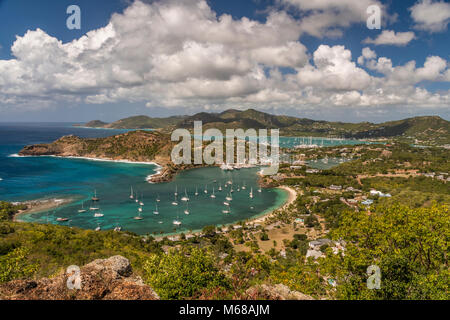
{"x": 274, "y": 292}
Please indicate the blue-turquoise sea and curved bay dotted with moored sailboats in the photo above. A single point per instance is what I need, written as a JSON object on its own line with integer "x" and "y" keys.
{"x": 29, "y": 178}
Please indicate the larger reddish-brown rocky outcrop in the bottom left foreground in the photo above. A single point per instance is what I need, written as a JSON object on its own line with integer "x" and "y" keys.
{"x": 102, "y": 279}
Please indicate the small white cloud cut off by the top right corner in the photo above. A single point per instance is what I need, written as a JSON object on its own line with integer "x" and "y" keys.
{"x": 431, "y": 16}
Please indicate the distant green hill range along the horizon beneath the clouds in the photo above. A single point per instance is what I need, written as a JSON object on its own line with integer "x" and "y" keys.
{"x": 427, "y": 130}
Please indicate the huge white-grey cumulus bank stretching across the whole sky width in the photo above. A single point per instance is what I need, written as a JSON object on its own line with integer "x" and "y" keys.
{"x": 181, "y": 54}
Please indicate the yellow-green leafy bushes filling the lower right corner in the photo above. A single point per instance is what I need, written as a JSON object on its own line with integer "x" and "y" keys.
{"x": 410, "y": 246}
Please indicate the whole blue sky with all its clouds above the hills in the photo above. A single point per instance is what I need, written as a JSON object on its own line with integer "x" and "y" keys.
{"x": 308, "y": 58}
